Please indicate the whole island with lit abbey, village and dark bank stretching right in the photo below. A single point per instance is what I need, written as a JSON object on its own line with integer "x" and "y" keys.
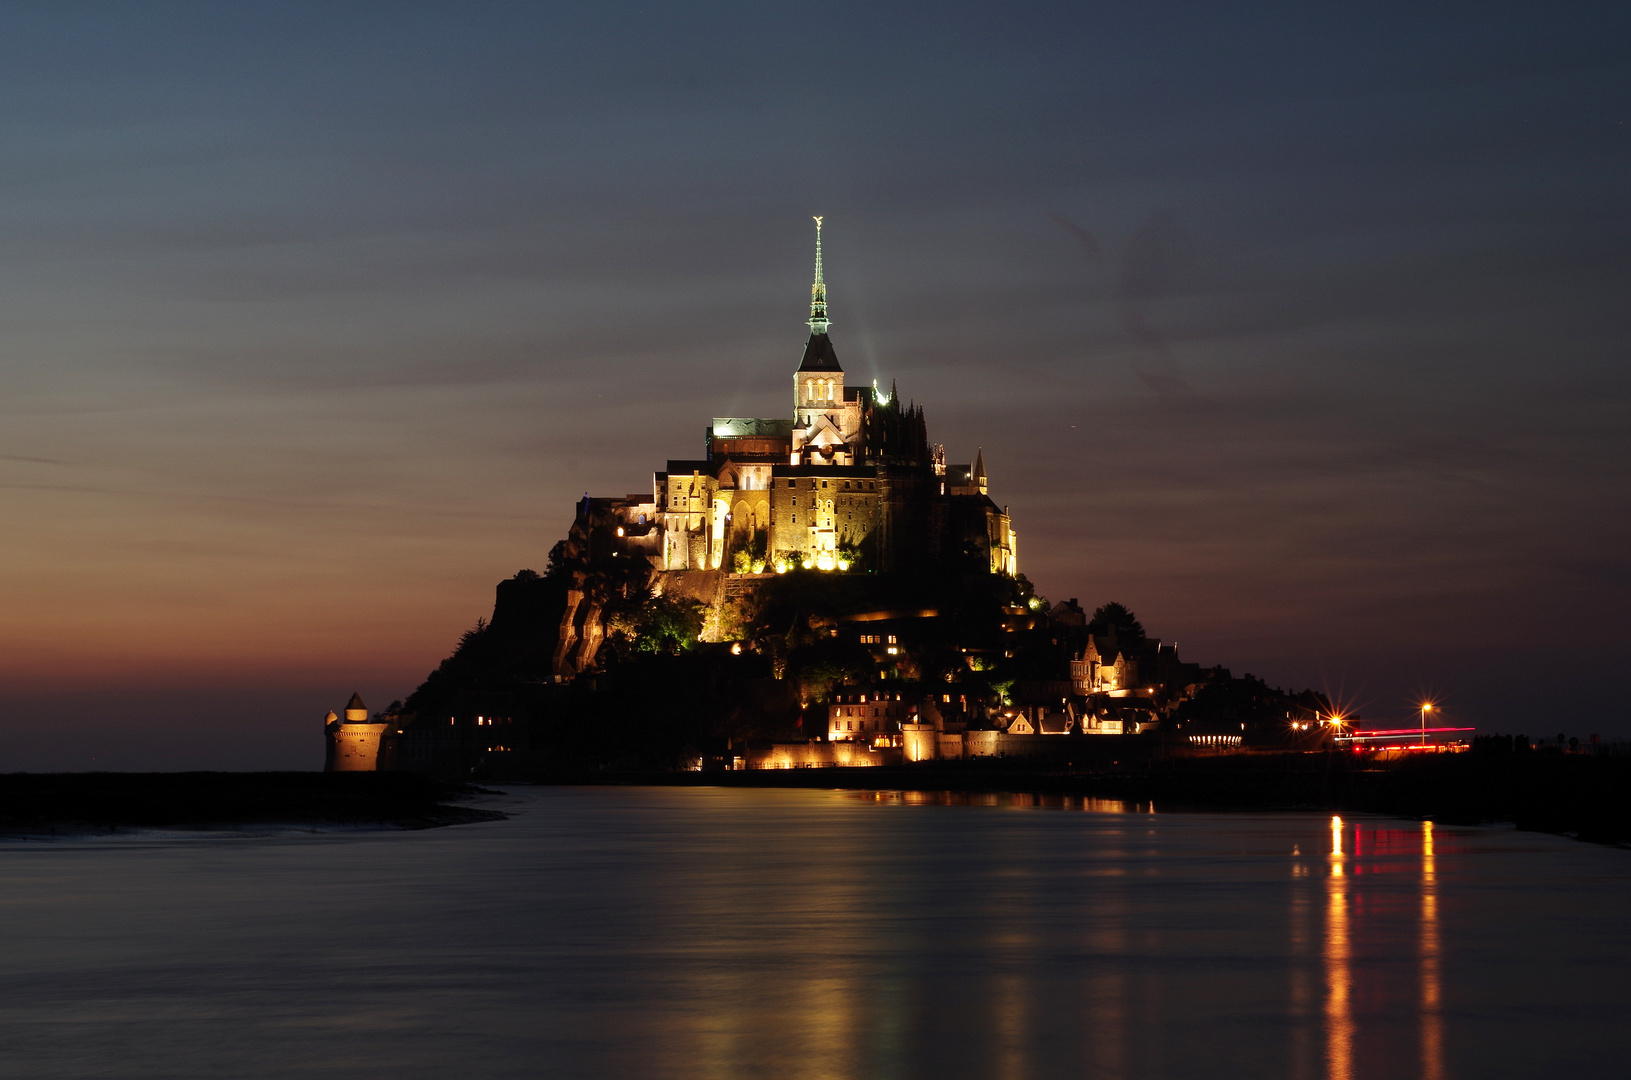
{"x": 823, "y": 600}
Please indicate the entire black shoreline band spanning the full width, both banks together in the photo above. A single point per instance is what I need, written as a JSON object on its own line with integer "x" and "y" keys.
{"x": 1581, "y": 797}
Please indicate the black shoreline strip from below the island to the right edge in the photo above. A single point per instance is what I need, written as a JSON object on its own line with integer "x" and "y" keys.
{"x": 1581, "y": 797}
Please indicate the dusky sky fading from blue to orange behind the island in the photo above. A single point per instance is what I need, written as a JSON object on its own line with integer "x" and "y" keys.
{"x": 1302, "y": 330}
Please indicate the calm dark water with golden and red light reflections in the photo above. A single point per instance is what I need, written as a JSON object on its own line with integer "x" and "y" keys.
{"x": 811, "y": 934}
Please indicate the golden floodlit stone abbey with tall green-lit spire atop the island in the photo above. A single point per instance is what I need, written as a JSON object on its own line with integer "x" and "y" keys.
{"x": 849, "y": 482}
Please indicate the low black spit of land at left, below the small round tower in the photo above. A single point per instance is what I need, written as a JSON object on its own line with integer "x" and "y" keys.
{"x": 74, "y": 803}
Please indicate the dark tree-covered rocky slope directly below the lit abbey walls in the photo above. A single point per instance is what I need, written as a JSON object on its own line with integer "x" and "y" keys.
{"x": 656, "y": 694}
